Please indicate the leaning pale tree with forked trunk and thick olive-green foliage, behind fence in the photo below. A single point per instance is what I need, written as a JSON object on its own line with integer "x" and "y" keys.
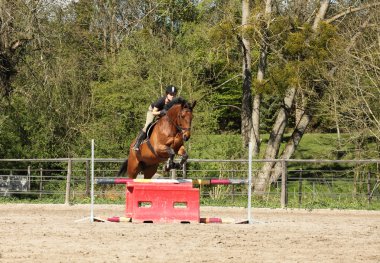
{"x": 304, "y": 72}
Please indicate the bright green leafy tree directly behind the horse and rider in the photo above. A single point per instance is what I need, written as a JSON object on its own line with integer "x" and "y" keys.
{"x": 143, "y": 68}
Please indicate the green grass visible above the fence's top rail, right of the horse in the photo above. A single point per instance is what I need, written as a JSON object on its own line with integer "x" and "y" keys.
{"x": 312, "y": 146}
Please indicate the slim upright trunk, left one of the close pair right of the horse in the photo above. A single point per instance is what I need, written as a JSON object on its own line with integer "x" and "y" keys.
{"x": 246, "y": 113}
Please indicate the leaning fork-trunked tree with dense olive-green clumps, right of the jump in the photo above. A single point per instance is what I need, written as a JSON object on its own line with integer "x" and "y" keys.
{"x": 305, "y": 49}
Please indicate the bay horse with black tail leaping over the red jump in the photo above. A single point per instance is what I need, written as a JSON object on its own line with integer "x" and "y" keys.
{"x": 164, "y": 142}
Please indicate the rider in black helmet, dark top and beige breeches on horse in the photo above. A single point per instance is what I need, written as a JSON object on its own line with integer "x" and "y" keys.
{"x": 155, "y": 109}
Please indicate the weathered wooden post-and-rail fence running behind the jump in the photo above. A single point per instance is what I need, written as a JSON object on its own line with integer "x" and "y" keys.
{"x": 301, "y": 182}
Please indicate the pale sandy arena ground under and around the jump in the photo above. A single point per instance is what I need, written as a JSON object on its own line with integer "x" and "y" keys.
{"x": 52, "y": 233}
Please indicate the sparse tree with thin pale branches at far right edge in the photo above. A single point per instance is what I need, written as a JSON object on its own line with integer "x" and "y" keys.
{"x": 355, "y": 84}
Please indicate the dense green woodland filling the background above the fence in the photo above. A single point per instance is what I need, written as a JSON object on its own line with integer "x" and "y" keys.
{"x": 88, "y": 69}
